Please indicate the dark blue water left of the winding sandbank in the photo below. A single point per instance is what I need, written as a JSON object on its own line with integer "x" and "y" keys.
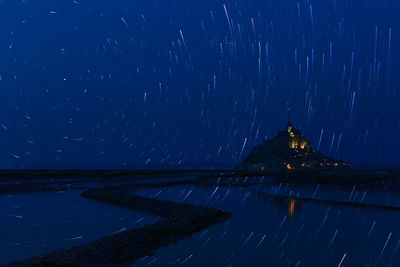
{"x": 35, "y": 223}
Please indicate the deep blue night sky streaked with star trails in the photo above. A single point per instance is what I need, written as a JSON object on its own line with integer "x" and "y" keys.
{"x": 163, "y": 83}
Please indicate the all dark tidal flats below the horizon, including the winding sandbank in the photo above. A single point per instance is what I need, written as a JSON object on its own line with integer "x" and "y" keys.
{"x": 181, "y": 220}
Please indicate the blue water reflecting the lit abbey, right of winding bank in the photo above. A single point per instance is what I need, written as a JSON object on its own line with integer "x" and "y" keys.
{"x": 267, "y": 231}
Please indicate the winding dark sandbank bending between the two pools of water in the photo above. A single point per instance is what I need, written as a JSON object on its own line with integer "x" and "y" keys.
{"x": 126, "y": 247}
